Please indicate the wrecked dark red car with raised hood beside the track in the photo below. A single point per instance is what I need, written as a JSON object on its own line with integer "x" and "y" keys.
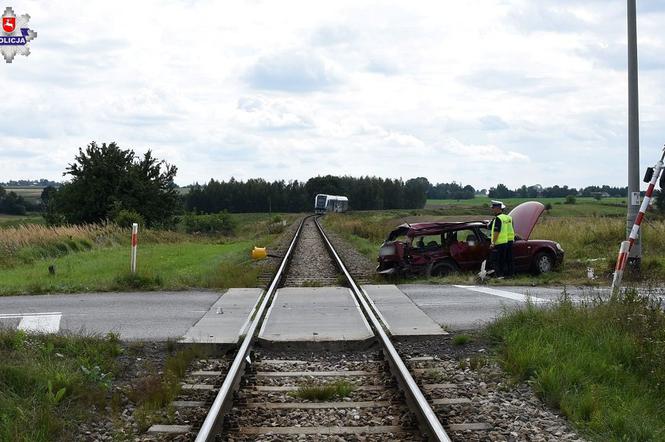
{"x": 441, "y": 248}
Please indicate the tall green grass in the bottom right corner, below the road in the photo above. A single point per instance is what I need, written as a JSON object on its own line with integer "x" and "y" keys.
{"x": 602, "y": 363}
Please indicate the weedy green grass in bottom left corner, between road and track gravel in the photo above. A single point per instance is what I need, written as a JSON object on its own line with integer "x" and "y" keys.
{"x": 50, "y": 384}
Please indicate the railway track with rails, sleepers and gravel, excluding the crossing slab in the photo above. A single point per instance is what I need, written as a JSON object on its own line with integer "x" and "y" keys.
{"x": 264, "y": 395}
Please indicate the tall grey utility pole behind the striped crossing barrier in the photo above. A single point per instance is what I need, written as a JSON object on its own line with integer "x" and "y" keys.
{"x": 633, "y": 137}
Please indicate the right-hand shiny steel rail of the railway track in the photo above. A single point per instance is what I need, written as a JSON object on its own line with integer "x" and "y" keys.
{"x": 424, "y": 413}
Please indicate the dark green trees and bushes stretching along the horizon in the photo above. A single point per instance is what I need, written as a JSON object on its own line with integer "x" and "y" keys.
{"x": 110, "y": 183}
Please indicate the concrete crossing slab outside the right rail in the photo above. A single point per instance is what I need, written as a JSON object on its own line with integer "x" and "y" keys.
{"x": 400, "y": 315}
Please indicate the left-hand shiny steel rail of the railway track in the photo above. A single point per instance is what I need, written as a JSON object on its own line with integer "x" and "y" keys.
{"x": 224, "y": 399}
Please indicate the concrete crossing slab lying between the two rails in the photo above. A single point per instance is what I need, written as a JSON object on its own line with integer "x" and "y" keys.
{"x": 314, "y": 314}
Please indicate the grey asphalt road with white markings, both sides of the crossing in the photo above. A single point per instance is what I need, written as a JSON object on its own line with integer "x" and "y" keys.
{"x": 168, "y": 315}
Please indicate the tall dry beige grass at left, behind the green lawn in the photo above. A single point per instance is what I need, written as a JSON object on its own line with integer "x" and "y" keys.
{"x": 29, "y": 242}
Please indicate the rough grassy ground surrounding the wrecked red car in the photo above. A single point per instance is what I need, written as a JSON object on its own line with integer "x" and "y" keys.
{"x": 589, "y": 241}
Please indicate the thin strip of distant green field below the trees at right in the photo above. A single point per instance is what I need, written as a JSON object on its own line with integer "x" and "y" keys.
{"x": 584, "y": 206}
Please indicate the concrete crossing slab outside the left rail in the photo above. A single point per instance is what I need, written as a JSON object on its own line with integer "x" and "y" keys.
{"x": 226, "y": 320}
